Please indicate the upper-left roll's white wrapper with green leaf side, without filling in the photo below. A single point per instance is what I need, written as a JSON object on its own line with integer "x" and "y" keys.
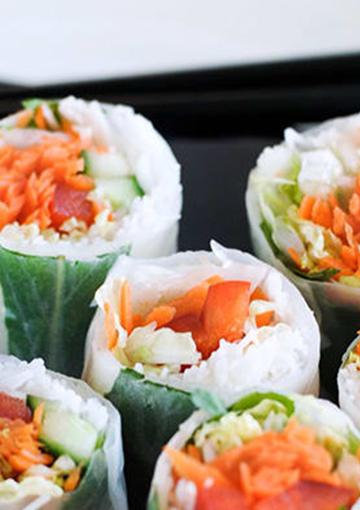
{"x": 47, "y": 287}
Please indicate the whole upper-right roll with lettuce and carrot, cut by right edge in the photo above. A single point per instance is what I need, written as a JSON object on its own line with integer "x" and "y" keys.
{"x": 303, "y": 203}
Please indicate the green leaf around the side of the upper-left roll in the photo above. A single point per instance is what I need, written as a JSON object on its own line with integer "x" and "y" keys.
{"x": 47, "y": 306}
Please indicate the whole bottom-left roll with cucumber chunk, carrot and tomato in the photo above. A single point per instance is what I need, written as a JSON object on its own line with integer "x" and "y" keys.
{"x": 60, "y": 443}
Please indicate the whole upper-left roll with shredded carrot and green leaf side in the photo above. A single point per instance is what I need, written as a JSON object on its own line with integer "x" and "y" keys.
{"x": 80, "y": 182}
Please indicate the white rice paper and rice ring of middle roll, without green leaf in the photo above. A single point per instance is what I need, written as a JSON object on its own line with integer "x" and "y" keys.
{"x": 265, "y": 359}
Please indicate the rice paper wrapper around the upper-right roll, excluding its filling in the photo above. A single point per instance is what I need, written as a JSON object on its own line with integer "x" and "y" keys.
{"x": 337, "y": 306}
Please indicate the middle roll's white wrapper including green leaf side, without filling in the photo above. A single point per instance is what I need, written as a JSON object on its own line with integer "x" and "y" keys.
{"x": 153, "y": 407}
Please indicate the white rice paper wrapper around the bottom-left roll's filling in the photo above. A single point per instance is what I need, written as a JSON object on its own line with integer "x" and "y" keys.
{"x": 102, "y": 487}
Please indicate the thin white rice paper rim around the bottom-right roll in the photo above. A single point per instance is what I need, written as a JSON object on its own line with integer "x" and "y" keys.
{"x": 319, "y": 414}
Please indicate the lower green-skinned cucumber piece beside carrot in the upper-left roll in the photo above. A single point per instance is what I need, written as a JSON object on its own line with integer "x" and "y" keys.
{"x": 121, "y": 192}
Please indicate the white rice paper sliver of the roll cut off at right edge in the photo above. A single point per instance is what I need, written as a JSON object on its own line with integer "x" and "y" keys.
{"x": 349, "y": 386}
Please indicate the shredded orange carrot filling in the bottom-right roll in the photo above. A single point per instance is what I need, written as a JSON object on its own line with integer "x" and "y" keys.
{"x": 263, "y": 467}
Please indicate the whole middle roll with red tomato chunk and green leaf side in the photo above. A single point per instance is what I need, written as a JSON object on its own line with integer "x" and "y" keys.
{"x": 221, "y": 320}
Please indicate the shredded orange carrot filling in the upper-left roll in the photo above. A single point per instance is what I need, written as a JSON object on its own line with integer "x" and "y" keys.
{"x": 31, "y": 176}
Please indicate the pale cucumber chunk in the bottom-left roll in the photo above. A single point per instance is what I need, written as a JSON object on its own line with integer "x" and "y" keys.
{"x": 65, "y": 433}
